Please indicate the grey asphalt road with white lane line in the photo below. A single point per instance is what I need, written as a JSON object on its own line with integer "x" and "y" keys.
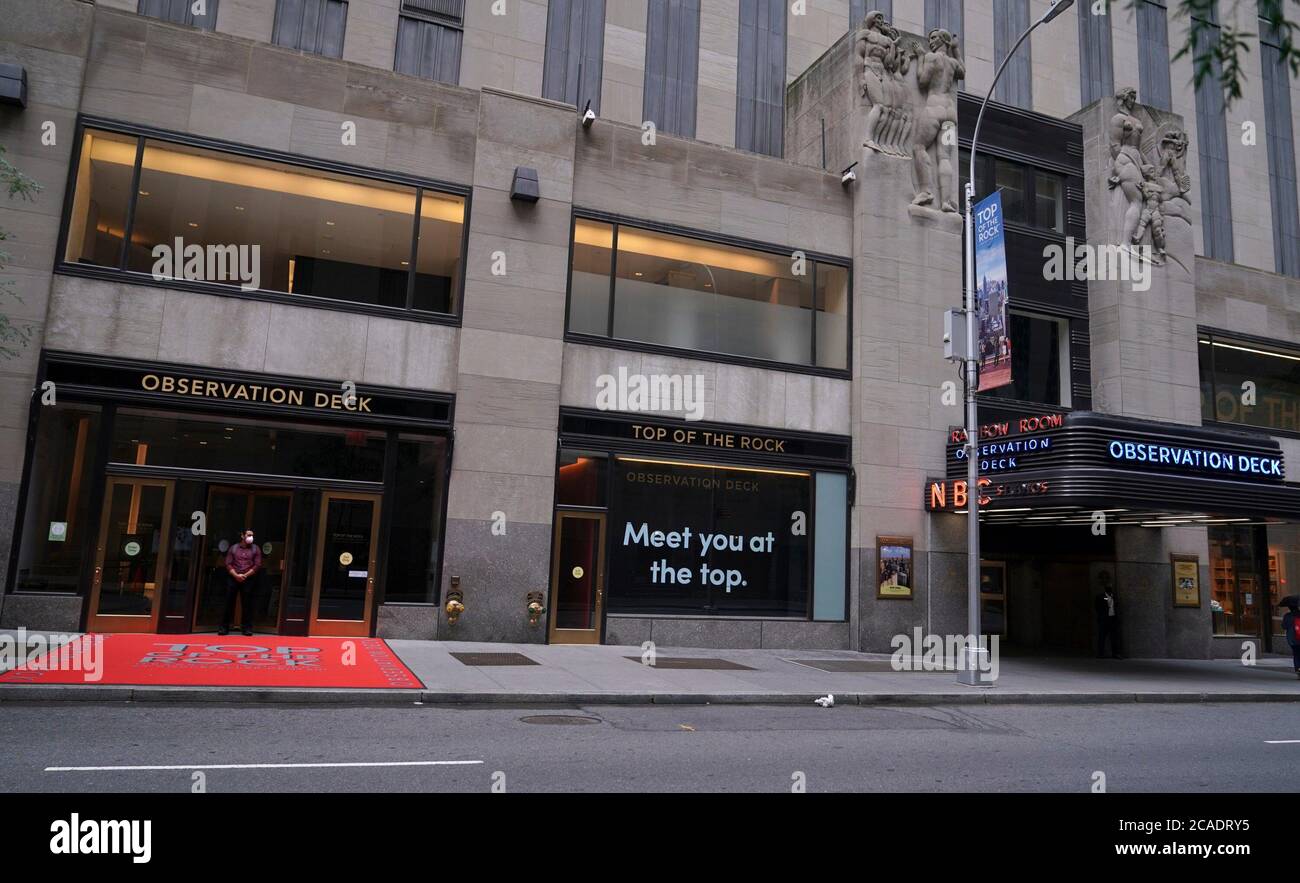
{"x": 1193, "y": 748}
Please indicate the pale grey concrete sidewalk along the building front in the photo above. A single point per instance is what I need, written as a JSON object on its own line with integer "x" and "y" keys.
{"x": 604, "y": 676}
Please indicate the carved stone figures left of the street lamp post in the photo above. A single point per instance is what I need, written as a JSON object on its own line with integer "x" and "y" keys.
{"x": 911, "y": 93}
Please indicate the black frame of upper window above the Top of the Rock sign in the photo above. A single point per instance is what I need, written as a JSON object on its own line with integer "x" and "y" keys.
{"x": 705, "y": 356}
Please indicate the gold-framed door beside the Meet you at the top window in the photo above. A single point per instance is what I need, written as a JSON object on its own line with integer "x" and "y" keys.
{"x": 578, "y": 578}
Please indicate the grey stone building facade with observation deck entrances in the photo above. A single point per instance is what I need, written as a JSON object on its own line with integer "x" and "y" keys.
{"x": 561, "y": 322}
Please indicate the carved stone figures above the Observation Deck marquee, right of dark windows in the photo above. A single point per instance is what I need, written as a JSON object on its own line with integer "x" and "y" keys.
{"x": 1149, "y": 174}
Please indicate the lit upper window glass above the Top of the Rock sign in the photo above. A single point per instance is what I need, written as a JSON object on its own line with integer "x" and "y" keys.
{"x": 673, "y": 291}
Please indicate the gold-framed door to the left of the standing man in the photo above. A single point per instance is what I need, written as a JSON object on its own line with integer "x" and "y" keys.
{"x": 132, "y": 556}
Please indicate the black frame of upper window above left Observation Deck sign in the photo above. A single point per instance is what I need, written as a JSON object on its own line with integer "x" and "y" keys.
{"x": 120, "y": 274}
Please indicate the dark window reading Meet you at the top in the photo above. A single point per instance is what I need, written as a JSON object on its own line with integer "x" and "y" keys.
{"x": 701, "y": 539}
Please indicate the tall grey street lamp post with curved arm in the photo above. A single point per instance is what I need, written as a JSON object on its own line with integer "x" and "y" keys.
{"x": 969, "y": 676}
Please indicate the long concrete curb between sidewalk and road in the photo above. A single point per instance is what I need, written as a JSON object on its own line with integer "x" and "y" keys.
{"x": 385, "y": 698}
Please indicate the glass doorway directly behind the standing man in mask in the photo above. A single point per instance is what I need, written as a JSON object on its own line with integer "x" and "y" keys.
{"x": 231, "y": 510}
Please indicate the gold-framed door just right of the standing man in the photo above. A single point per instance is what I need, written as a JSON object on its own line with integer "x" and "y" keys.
{"x": 348, "y": 540}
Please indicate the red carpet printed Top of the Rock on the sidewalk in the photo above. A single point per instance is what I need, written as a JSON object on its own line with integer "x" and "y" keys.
{"x": 211, "y": 661}
